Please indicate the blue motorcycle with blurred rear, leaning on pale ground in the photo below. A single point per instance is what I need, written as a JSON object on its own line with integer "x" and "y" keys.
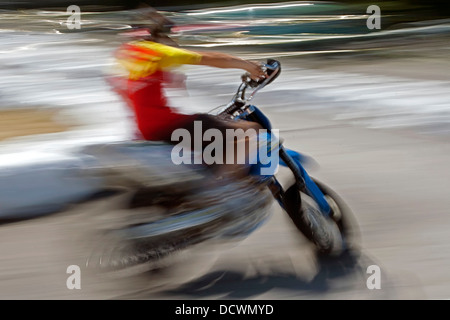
{"x": 167, "y": 210}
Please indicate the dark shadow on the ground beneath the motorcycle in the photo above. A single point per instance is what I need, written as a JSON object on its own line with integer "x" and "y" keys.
{"x": 331, "y": 275}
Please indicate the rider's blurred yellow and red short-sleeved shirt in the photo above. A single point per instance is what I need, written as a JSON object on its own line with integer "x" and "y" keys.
{"x": 144, "y": 64}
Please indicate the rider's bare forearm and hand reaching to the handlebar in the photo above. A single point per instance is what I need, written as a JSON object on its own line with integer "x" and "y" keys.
{"x": 223, "y": 60}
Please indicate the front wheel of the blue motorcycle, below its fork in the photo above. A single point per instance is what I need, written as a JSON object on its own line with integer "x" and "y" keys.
{"x": 331, "y": 235}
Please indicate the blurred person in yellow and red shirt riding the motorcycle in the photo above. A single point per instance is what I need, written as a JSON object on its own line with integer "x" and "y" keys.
{"x": 147, "y": 61}
